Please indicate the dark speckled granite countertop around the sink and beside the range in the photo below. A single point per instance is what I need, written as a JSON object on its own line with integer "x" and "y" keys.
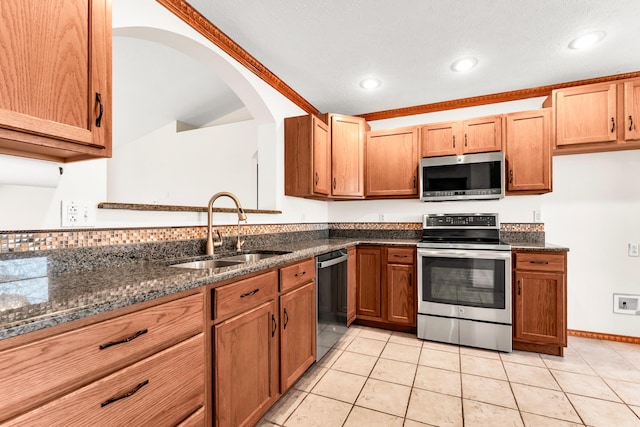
{"x": 32, "y": 299}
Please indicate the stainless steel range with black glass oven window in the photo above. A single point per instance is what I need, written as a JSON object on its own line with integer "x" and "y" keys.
{"x": 464, "y": 281}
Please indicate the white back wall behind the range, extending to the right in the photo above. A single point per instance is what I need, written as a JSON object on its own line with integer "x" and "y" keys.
{"x": 594, "y": 210}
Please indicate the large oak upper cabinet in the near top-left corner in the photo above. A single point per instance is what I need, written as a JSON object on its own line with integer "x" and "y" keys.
{"x": 55, "y": 79}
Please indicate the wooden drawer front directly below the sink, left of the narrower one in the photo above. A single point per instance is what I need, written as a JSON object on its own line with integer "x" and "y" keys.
{"x": 244, "y": 294}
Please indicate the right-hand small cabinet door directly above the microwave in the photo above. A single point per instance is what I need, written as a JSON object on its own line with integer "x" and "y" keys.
{"x": 482, "y": 134}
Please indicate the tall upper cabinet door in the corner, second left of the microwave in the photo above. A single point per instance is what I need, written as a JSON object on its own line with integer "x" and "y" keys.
{"x": 347, "y": 156}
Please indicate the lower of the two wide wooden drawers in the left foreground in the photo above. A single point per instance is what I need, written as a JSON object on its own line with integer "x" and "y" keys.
{"x": 160, "y": 390}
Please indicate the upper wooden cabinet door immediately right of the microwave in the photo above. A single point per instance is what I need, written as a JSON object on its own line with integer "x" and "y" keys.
{"x": 528, "y": 151}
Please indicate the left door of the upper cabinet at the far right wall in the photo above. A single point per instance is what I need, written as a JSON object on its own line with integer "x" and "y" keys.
{"x": 585, "y": 115}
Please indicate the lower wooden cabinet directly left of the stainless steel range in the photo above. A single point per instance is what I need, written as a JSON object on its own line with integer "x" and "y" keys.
{"x": 386, "y": 293}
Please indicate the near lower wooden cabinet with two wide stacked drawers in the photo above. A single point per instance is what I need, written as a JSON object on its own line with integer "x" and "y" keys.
{"x": 144, "y": 367}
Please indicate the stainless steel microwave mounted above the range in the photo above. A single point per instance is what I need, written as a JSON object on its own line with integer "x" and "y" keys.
{"x": 469, "y": 177}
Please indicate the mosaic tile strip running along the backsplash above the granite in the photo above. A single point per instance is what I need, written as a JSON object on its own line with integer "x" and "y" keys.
{"x": 37, "y": 240}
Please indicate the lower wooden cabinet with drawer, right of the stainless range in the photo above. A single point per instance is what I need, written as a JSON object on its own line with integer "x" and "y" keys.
{"x": 540, "y": 302}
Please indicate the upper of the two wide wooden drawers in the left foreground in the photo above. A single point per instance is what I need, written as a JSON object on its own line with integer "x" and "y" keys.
{"x": 40, "y": 371}
